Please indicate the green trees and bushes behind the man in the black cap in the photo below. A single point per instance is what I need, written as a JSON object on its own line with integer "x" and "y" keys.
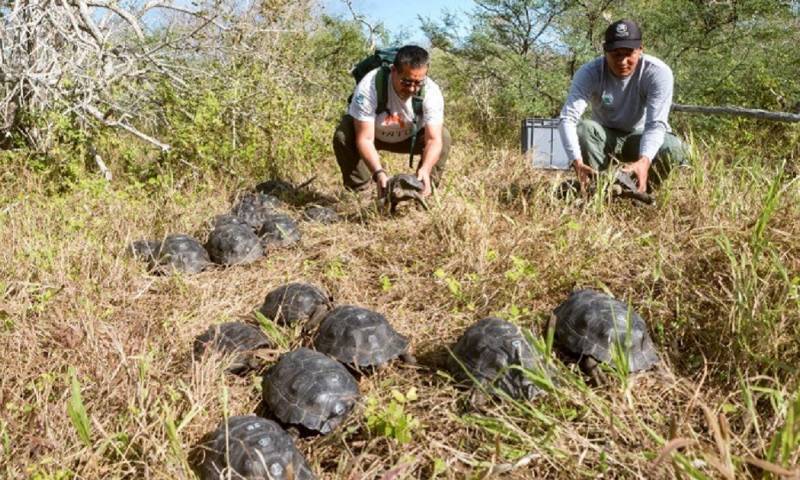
{"x": 518, "y": 58}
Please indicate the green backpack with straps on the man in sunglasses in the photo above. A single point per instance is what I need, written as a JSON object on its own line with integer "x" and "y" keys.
{"x": 383, "y": 58}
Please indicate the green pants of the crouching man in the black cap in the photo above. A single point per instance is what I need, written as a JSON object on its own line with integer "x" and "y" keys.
{"x": 598, "y": 143}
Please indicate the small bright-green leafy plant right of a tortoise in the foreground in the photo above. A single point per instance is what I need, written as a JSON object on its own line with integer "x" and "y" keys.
{"x": 393, "y": 421}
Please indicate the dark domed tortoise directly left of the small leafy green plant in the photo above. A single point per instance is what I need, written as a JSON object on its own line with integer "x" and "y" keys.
{"x": 309, "y": 389}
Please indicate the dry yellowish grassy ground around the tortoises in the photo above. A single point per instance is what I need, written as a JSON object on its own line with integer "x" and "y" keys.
{"x": 98, "y": 381}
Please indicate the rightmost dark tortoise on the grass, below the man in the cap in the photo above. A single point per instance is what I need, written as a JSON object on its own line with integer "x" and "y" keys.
{"x": 590, "y": 325}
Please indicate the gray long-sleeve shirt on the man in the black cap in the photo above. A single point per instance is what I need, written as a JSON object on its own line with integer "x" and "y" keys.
{"x": 641, "y": 100}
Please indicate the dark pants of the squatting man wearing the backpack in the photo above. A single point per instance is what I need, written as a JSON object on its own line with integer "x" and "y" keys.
{"x": 356, "y": 174}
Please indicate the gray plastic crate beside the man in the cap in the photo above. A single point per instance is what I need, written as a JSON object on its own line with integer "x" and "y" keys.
{"x": 541, "y": 144}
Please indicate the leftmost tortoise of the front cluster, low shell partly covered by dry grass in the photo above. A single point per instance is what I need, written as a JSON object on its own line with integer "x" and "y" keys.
{"x": 237, "y": 339}
